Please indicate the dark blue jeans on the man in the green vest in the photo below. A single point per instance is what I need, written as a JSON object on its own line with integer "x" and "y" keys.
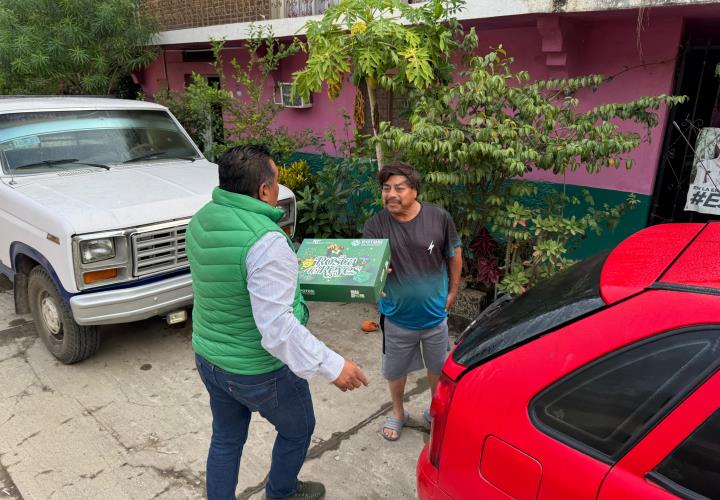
{"x": 283, "y": 399}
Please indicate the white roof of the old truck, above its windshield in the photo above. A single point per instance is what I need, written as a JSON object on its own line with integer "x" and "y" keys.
{"x": 10, "y": 104}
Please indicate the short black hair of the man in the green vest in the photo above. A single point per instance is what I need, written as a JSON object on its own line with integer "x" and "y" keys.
{"x": 243, "y": 169}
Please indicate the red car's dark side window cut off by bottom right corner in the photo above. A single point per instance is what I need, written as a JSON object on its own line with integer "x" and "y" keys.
{"x": 693, "y": 468}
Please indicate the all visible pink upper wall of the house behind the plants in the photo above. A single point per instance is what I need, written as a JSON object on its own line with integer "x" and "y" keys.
{"x": 547, "y": 47}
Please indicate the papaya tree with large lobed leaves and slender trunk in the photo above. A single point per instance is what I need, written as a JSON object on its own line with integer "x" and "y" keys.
{"x": 381, "y": 43}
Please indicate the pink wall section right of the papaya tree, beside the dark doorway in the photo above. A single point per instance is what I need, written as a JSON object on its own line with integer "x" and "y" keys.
{"x": 603, "y": 46}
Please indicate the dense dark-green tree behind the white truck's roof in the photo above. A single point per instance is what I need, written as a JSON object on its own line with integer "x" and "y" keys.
{"x": 72, "y": 46}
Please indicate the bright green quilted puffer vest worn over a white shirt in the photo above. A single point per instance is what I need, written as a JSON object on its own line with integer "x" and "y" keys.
{"x": 217, "y": 241}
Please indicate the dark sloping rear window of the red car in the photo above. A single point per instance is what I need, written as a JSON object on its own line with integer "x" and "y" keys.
{"x": 549, "y": 304}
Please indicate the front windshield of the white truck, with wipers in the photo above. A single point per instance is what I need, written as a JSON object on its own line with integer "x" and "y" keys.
{"x": 44, "y": 141}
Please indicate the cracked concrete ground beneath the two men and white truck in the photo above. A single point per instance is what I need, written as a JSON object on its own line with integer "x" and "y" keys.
{"x": 133, "y": 421}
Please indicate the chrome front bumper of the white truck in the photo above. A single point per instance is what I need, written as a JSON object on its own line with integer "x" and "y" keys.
{"x": 134, "y": 303}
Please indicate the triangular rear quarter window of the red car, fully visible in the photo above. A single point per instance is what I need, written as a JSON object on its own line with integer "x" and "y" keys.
{"x": 604, "y": 407}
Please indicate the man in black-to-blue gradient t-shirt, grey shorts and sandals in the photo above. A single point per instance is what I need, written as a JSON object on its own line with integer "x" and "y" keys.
{"x": 426, "y": 263}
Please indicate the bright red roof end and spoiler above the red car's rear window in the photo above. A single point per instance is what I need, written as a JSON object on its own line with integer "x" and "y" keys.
{"x": 676, "y": 256}
